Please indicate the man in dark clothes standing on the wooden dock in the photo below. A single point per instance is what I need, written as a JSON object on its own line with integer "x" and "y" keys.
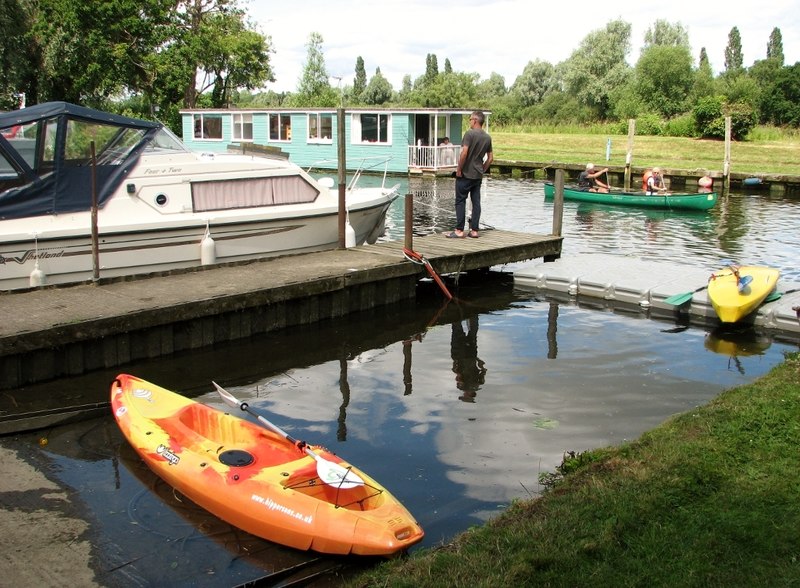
{"x": 474, "y": 160}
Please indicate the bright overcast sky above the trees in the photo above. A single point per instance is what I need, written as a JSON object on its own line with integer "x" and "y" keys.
{"x": 502, "y": 36}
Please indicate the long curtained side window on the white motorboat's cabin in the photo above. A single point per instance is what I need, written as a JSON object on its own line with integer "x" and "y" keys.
{"x": 251, "y": 193}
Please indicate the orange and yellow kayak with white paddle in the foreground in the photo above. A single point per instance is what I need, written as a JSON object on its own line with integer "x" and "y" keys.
{"x": 256, "y": 479}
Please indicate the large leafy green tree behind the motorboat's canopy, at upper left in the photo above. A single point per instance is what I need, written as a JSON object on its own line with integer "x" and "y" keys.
{"x": 151, "y": 50}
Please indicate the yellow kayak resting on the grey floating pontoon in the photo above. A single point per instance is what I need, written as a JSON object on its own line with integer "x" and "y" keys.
{"x": 737, "y": 291}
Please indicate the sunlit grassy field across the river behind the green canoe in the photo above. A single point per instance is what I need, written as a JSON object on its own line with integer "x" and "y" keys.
{"x": 772, "y": 156}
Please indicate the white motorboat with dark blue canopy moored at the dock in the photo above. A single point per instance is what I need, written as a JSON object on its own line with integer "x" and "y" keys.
{"x": 159, "y": 206}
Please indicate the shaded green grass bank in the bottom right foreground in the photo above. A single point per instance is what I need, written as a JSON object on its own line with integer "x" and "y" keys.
{"x": 709, "y": 498}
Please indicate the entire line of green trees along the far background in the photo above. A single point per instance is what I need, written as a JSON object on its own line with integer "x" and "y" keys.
{"x": 149, "y": 58}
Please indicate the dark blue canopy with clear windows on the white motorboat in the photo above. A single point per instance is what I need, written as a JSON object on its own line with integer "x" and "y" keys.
{"x": 47, "y": 163}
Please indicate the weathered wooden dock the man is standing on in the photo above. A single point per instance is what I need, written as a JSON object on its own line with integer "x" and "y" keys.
{"x": 55, "y": 332}
